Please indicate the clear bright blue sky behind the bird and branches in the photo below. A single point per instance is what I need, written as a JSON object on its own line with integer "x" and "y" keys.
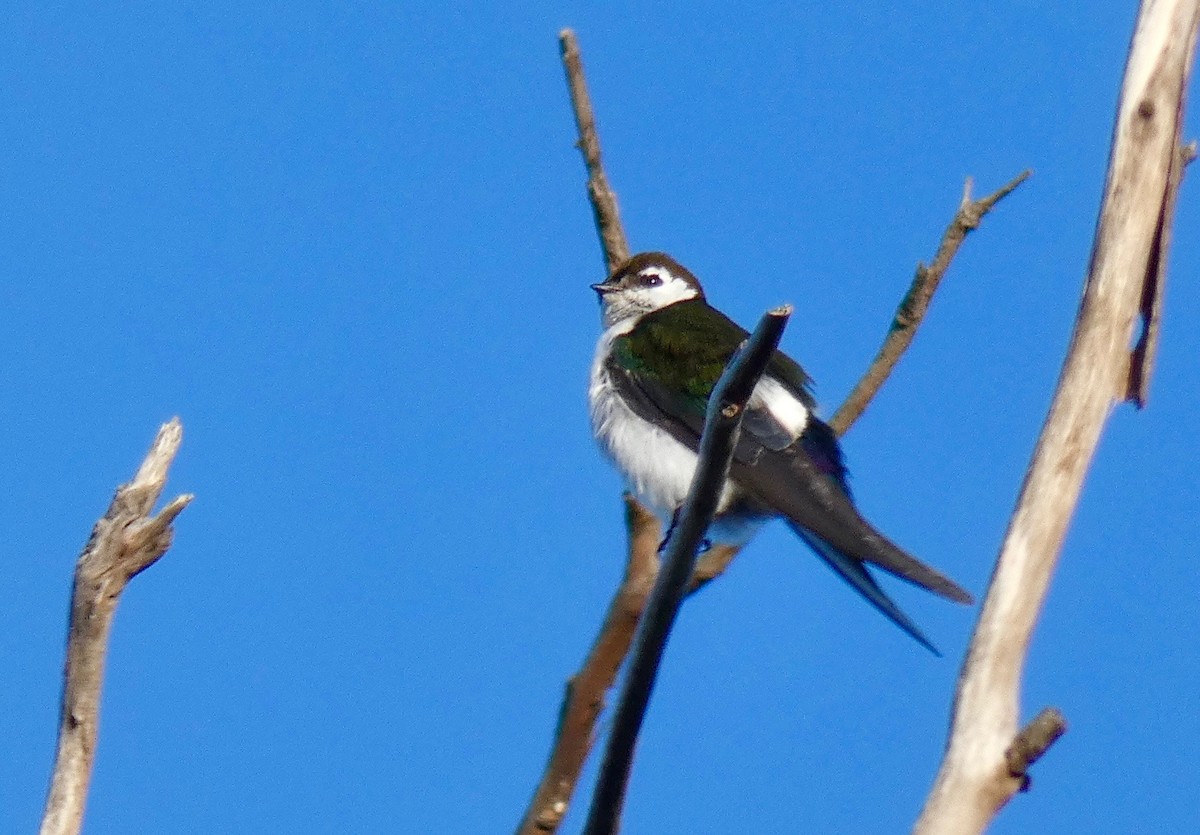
{"x": 349, "y": 245}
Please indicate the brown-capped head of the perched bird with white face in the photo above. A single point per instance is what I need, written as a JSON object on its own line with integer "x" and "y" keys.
{"x": 643, "y": 285}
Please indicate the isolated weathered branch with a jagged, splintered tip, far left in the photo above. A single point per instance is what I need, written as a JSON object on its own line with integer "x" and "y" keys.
{"x": 125, "y": 542}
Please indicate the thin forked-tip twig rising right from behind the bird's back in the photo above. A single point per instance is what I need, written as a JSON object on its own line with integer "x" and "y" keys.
{"x": 915, "y": 304}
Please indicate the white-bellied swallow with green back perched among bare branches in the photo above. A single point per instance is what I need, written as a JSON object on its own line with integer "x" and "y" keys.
{"x": 662, "y": 352}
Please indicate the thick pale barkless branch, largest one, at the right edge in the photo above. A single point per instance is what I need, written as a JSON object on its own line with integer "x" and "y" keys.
{"x": 976, "y": 779}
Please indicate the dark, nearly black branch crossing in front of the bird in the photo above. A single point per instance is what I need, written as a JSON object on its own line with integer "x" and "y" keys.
{"x": 727, "y": 407}
